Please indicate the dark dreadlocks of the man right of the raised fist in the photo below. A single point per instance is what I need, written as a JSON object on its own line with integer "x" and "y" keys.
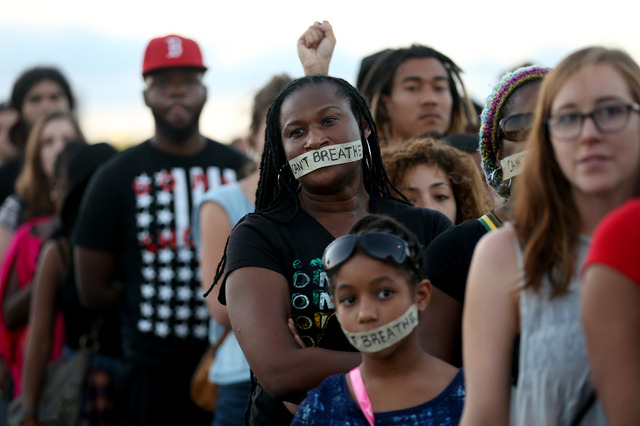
{"x": 379, "y": 82}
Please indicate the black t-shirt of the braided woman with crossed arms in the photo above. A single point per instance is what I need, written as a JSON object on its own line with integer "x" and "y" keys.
{"x": 289, "y": 241}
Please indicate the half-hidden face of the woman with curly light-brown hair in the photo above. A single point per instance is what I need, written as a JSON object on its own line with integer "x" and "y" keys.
{"x": 426, "y": 185}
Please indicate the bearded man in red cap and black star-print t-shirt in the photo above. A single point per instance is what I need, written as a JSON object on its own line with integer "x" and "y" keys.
{"x": 134, "y": 245}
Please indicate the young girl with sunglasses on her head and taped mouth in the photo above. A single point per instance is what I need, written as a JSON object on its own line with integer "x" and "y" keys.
{"x": 378, "y": 294}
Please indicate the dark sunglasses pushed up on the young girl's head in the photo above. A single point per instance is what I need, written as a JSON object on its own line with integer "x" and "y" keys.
{"x": 379, "y": 245}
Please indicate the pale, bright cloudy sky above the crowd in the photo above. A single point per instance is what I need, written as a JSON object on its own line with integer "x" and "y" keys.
{"x": 99, "y": 46}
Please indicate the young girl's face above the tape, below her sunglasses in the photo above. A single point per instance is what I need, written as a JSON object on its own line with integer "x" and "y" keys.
{"x": 369, "y": 293}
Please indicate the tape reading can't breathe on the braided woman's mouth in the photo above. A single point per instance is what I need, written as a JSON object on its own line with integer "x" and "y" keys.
{"x": 331, "y": 155}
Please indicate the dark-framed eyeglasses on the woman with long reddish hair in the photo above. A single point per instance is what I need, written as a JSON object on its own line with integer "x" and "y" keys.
{"x": 607, "y": 118}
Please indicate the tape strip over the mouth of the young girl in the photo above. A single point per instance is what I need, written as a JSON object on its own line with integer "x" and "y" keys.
{"x": 386, "y": 335}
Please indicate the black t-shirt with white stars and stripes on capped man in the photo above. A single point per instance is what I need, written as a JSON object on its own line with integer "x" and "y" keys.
{"x": 139, "y": 206}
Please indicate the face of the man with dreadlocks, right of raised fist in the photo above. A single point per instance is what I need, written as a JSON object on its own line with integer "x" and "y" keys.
{"x": 420, "y": 102}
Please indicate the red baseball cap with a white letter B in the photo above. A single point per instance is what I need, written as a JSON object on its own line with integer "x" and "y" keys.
{"x": 172, "y": 51}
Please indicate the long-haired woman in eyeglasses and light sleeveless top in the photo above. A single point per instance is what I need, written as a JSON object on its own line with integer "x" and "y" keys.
{"x": 582, "y": 161}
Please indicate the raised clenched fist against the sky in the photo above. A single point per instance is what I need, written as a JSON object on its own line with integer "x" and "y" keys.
{"x": 315, "y": 48}
